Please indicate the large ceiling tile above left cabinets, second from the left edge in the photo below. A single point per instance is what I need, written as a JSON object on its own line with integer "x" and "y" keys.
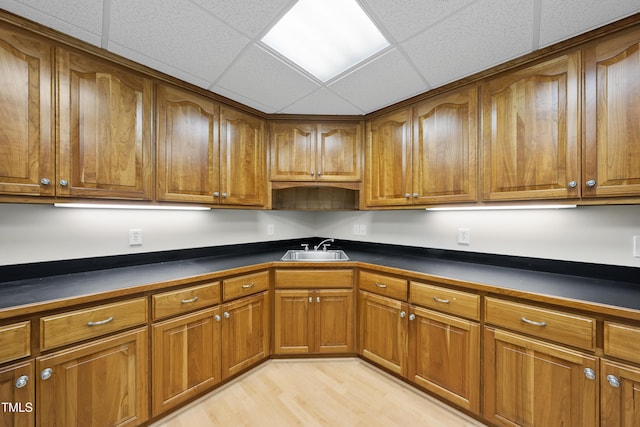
{"x": 176, "y": 33}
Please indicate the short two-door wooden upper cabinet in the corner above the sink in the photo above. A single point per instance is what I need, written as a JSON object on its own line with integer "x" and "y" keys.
{"x": 307, "y": 151}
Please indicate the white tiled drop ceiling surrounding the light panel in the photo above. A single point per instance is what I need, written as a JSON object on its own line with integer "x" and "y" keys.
{"x": 215, "y": 44}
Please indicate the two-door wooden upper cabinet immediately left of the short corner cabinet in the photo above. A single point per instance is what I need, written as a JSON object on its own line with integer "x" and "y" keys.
{"x": 207, "y": 153}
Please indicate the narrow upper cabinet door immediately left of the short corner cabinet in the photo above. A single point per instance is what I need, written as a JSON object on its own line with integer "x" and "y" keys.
{"x": 243, "y": 154}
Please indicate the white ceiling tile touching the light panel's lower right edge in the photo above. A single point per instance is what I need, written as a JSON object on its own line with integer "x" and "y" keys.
{"x": 384, "y": 81}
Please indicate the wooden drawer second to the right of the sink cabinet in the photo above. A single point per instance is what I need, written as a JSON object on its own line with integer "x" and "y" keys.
{"x": 460, "y": 303}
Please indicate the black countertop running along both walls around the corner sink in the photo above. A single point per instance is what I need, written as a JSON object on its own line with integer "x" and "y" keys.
{"x": 531, "y": 280}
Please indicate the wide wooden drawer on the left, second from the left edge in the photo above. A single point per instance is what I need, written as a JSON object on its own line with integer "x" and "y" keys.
{"x": 66, "y": 328}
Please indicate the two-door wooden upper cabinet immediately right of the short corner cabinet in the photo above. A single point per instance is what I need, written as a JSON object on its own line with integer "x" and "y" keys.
{"x": 426, "y": 154}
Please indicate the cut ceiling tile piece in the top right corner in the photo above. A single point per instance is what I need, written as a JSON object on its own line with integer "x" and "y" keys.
{"x": 561, "y": 20}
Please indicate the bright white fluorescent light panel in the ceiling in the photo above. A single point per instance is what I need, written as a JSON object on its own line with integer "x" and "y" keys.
{"x": 325, "y": 37}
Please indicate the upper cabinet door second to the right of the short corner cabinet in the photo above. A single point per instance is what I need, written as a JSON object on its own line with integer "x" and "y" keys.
{"x": 445, "y": 148}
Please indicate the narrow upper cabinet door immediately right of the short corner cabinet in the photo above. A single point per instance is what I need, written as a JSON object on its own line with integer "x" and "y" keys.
{"x": 388, "y": 176}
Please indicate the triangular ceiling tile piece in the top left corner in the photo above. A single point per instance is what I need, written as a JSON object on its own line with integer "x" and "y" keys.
{"x": 81, "y": 19}
